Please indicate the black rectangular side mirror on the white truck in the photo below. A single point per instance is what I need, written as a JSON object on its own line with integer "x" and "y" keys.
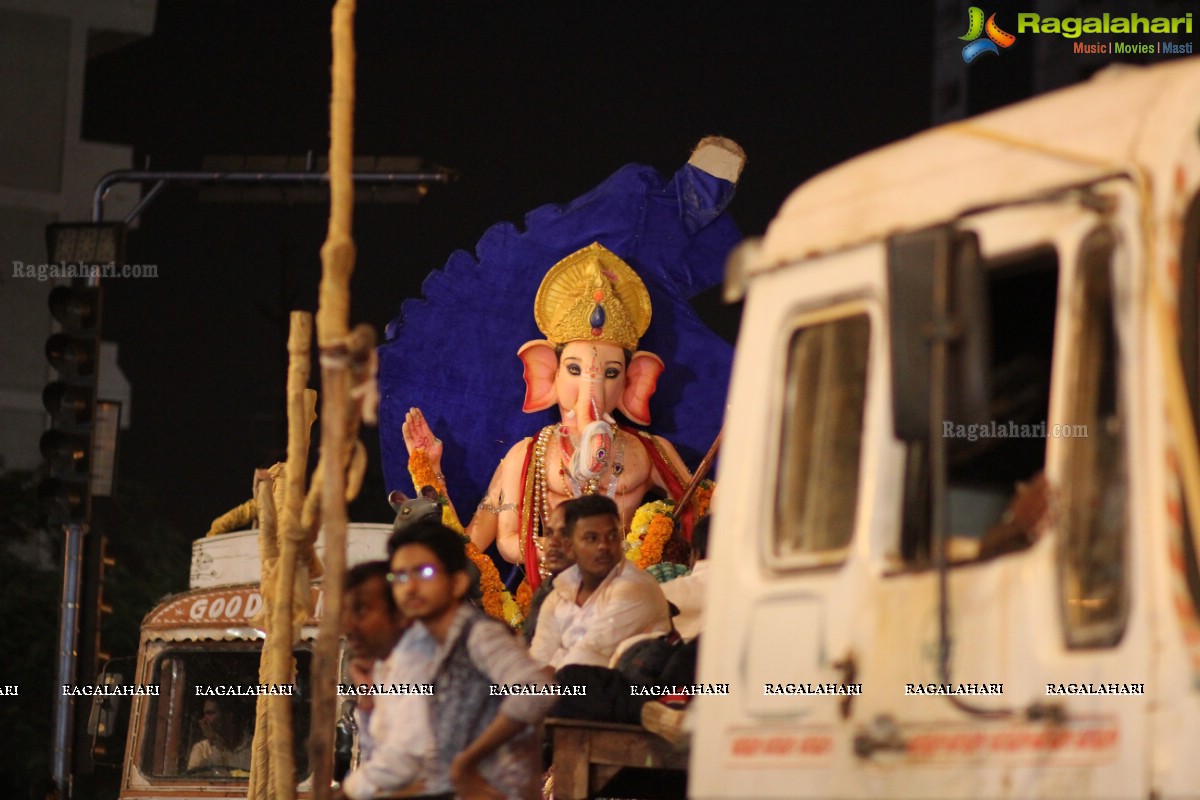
{"x": 915, "y": 261}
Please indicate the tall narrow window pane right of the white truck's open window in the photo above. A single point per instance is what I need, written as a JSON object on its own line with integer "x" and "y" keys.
{"x": 1094, "y": 494}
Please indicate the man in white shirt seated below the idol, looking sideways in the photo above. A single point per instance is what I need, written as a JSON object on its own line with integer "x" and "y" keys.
{"x": 601, "y": 601}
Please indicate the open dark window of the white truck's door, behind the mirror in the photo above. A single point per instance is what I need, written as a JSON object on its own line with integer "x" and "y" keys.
{"x": 986, "y": 462}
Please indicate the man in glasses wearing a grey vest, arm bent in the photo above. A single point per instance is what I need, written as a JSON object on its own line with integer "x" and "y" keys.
{"x": 485, "y": 743}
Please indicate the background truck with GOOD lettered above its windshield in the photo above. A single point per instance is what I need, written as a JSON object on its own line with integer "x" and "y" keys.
{"x": 205, "y": 643}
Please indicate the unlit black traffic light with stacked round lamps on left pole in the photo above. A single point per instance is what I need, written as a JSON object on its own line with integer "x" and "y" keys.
{"x": 71, "y": 402}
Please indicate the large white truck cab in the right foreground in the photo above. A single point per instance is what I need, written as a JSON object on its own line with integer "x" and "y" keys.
{"x": 1000, "y": 304}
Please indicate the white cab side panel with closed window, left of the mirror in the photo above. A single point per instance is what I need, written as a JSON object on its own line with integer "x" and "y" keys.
{"x": 799, "y": 502}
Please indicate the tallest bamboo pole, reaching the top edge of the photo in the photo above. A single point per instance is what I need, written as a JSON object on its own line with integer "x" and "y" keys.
{"x": 333, "y": 324}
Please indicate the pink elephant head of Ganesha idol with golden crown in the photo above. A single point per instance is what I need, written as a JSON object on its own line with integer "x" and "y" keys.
{"x": 593, "y": 310}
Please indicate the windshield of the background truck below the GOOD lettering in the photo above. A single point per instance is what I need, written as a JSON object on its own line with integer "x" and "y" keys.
{"x": 201, "y": 726}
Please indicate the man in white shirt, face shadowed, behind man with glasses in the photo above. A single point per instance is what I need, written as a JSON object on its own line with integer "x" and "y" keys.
{"x": 395, "y": 739}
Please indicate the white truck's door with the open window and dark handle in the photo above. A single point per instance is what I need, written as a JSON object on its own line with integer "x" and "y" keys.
{"x": 1045, "y": 691}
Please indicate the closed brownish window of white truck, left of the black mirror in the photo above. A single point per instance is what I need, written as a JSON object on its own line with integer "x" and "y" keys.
{"x": 821, "y": 440}
